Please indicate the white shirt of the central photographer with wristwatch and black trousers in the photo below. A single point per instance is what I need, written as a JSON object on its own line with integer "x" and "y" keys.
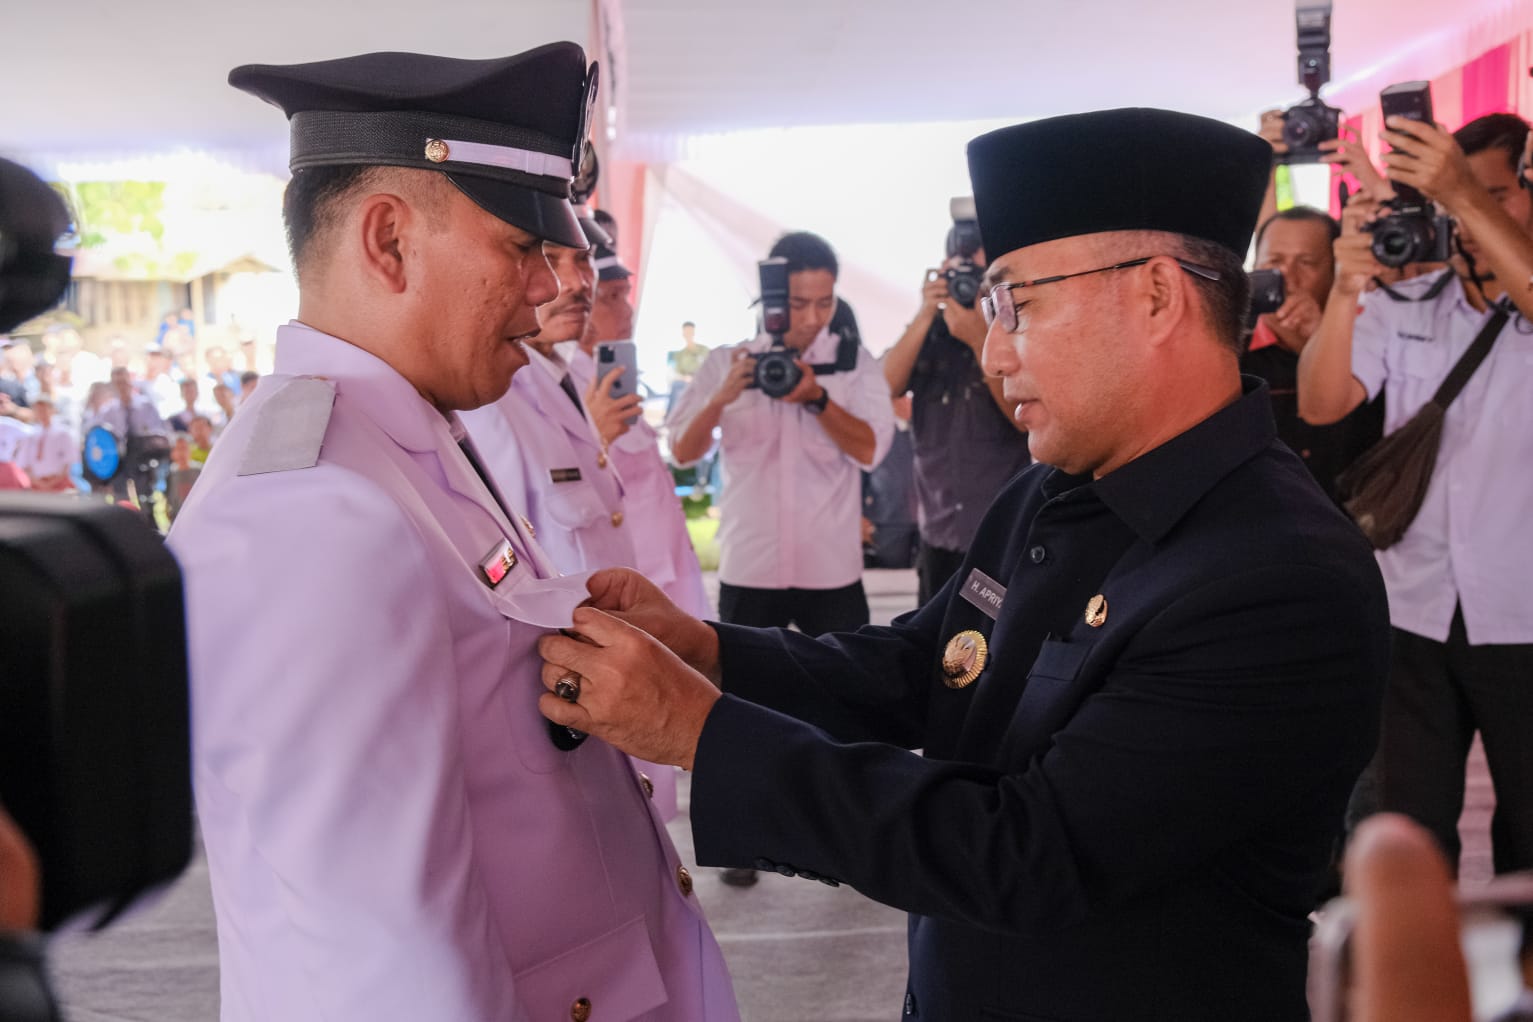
{"x": 792, "y": 505}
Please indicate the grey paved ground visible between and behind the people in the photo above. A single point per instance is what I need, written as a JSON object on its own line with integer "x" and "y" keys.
{"x": 798, "y": 951}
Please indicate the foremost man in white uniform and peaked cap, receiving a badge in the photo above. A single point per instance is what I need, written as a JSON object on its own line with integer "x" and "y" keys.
{"x": 393, "y": 830}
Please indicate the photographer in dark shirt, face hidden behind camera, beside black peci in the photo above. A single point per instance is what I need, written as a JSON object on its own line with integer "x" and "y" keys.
{"x": 967, "y": 441}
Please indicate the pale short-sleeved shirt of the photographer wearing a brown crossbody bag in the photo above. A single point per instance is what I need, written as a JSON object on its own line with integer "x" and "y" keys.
{"x": 1471, "y": 543}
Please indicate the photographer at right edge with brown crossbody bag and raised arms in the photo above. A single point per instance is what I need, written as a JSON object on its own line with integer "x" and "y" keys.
{"x": 1463, "y": 626}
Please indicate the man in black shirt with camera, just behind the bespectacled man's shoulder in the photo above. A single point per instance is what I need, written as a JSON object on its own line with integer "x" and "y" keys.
{"x": 1298, "y": 243}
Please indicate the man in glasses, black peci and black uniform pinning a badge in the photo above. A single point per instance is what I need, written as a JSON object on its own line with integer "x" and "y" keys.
{"x": 1151, "y": 687}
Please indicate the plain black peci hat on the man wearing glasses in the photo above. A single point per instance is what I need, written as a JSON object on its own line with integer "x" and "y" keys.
{"x": 1118, "y": 171}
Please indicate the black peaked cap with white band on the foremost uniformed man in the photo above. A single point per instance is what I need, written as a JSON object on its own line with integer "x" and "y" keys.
{"x": 507, "y": 133}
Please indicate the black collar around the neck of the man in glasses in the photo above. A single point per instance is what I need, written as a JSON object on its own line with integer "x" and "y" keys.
{"x": 1161, "y": 486}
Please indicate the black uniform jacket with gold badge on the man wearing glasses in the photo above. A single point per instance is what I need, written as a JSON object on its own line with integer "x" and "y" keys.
{"x": 1126, "y": 821}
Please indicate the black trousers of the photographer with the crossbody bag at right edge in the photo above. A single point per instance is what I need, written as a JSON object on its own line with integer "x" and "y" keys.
{"x": 1440, "y": 693}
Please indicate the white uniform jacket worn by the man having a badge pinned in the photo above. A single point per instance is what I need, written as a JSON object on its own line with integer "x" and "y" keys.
{"x": 390, "y": 830}
